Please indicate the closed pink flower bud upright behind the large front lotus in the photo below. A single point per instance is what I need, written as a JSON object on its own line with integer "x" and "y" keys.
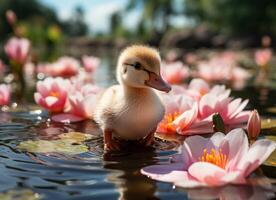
{"x": 254, "y": 125}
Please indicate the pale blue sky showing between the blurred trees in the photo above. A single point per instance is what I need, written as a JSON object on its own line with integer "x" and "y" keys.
{"x": 97, "y": 12}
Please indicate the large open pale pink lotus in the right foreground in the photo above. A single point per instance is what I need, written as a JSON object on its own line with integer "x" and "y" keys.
{"x": 219, "y": 160}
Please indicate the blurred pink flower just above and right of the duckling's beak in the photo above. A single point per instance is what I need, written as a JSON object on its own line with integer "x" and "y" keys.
{"x": 175, "y": 73}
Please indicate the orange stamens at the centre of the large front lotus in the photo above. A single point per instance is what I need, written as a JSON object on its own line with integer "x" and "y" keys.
{"x": 215, "y": 157}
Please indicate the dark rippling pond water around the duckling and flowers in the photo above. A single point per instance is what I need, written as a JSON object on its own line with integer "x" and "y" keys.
{"x": 95, "y": 174}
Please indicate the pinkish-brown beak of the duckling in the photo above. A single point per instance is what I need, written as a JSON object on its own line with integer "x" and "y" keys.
{"x": 155, "y": 81}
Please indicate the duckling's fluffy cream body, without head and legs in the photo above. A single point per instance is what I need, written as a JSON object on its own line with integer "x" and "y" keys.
{"x": 130, "y": 113}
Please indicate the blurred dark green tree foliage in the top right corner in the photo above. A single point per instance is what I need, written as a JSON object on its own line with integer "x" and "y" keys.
{"x": 254, "y": 17}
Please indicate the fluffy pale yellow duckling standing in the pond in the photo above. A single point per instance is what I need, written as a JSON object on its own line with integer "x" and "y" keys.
{"x": 132, "y": 109}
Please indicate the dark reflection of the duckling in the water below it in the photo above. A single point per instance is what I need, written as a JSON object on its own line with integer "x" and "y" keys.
{"x": 125, "y": 174}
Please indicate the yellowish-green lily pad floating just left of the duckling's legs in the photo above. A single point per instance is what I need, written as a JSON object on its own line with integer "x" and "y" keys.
{"x": 69, "y": 143}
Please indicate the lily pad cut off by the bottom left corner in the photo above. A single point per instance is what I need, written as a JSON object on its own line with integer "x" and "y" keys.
{"x": 19, "y": 195}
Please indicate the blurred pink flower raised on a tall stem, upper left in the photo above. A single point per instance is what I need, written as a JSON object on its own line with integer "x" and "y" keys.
{"x": 17, "y": 49}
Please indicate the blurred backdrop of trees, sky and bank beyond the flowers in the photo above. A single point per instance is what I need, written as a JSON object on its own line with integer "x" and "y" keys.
{"x": 77, "y": 25}
